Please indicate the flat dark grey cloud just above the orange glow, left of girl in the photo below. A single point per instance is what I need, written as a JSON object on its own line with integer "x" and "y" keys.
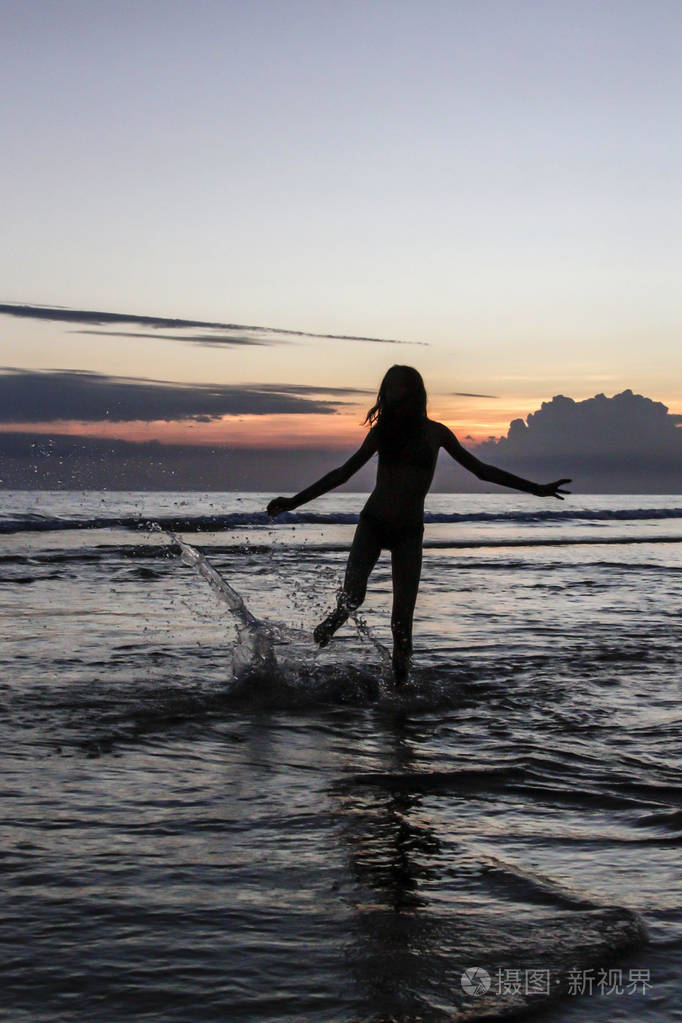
{"x": 52, "y": 396}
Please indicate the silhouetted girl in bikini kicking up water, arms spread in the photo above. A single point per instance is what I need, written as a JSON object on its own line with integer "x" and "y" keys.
{"x": 393, "y": 519}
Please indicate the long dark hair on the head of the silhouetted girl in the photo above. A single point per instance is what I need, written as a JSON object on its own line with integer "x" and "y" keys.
{"x": 398, "y": 422}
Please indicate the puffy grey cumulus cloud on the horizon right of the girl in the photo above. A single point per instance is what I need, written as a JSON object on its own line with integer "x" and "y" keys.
{"x": 624, "y": 442}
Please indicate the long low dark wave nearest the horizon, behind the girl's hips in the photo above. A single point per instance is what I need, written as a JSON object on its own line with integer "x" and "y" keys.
{"x": 31, "y": 523}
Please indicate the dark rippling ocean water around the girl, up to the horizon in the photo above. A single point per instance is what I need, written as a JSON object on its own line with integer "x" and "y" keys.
{"x": 206, "y": 818}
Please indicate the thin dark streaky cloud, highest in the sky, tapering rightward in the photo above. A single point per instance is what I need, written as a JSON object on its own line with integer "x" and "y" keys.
{"x": 232, "y": 334}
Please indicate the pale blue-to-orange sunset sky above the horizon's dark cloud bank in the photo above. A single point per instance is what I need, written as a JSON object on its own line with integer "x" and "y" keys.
{"x": 487, "y": 191}
